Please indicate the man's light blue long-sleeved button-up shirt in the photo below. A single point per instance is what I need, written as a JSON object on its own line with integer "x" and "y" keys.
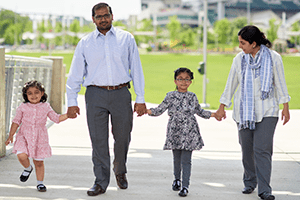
{"x": 105, "y": 60}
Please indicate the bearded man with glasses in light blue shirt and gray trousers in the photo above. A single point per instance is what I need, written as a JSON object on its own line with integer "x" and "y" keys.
{"x": 105, "y": 61}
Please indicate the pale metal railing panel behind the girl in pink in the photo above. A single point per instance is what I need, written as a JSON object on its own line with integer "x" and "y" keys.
{"x": 19, "y": 70}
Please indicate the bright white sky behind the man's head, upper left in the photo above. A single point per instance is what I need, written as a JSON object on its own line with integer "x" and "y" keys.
{"x": 121, "y": 8}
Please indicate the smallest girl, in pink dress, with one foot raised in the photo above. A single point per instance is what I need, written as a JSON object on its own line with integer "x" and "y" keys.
{"x": 32, "y": 138}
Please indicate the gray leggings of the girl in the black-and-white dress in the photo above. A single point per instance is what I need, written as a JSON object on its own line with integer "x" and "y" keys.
{"x": 182, "y": 161}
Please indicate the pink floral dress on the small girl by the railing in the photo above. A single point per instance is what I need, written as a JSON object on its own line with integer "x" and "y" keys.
{"x": 32, "y": 137}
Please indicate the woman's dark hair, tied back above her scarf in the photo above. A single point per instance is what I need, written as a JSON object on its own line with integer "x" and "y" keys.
{"x": 253, "y": 34}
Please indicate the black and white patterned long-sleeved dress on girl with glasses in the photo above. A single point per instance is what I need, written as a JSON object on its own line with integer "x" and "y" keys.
{"x": 182, "y": 130}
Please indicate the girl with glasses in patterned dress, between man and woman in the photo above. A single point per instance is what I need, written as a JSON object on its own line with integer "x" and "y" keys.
{"x": 183, "y": 135}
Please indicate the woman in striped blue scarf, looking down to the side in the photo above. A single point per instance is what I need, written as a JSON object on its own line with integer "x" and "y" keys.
{"x": 257, "y": 79}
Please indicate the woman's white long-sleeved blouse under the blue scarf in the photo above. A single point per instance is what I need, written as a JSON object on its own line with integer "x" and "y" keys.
{"x": 263, "y": 108}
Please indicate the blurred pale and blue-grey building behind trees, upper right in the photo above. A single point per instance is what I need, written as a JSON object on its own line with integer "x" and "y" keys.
{"x": 191, "y": 12}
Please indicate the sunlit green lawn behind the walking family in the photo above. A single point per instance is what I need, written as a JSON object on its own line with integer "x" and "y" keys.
{"x": 159, "y": 75}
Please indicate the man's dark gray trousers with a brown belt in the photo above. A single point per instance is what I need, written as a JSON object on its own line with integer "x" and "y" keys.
{"x": 100, "y": 104}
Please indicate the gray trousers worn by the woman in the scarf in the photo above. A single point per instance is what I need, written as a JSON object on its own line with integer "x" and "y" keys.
{"x": 257, "y": 151}
